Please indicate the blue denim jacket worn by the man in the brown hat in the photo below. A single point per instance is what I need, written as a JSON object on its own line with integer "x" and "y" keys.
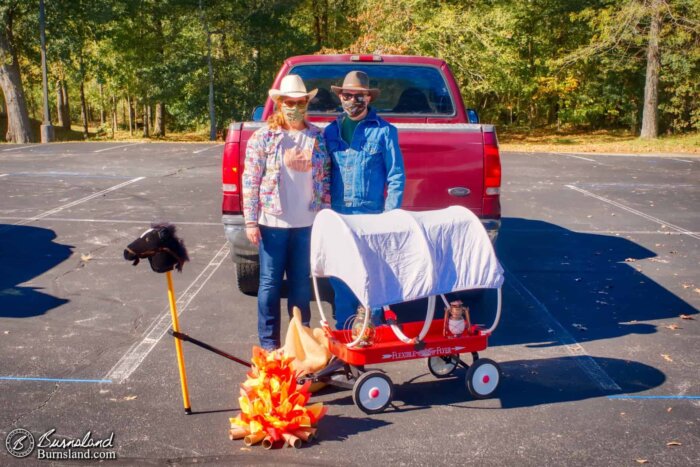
{"x": 362, "y": 171}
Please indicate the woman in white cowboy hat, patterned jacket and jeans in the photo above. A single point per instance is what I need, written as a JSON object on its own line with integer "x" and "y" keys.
{"x": 286, "y": 180}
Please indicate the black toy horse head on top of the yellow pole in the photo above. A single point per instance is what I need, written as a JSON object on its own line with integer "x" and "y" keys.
{"x": 161, "y": 246}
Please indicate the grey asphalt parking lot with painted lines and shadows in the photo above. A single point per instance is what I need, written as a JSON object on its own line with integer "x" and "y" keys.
{"x": 599, "y": 342}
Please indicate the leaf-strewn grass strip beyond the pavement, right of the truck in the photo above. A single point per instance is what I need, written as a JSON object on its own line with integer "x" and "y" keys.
{"x": 596, "y": 142}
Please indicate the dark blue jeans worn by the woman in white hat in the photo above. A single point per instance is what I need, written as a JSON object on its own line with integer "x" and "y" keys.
{"x": 282, "y": 250}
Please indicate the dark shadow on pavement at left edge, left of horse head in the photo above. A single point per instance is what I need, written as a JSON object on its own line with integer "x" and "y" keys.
{"x": 25, "y": 253}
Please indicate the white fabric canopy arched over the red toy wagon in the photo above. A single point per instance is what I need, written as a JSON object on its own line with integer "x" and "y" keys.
{"x": 400, "y": 255}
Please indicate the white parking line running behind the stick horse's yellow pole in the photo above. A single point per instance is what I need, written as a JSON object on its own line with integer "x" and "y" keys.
{"x": 138, "y": 352}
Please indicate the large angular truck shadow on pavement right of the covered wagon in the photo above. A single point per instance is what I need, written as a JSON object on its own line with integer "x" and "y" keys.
{"x": 583, "y": 278}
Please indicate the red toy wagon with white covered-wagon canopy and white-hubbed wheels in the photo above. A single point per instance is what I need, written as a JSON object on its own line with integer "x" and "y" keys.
{"x": 395, "y": 257}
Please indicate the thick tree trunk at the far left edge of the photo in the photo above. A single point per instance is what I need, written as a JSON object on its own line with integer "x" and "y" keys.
{"x": 18, "y": 128}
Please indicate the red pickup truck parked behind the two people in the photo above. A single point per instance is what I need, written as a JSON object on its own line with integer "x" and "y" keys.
{"x": 449, "y": 157}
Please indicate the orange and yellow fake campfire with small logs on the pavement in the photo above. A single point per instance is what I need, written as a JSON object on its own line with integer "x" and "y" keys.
{"x": 273, "y": 406}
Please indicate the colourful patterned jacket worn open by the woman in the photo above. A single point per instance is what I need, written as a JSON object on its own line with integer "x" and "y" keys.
{"x": 261, "y": 174}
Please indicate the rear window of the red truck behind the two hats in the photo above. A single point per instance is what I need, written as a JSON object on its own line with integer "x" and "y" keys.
{"x": 405, "y": 89}
